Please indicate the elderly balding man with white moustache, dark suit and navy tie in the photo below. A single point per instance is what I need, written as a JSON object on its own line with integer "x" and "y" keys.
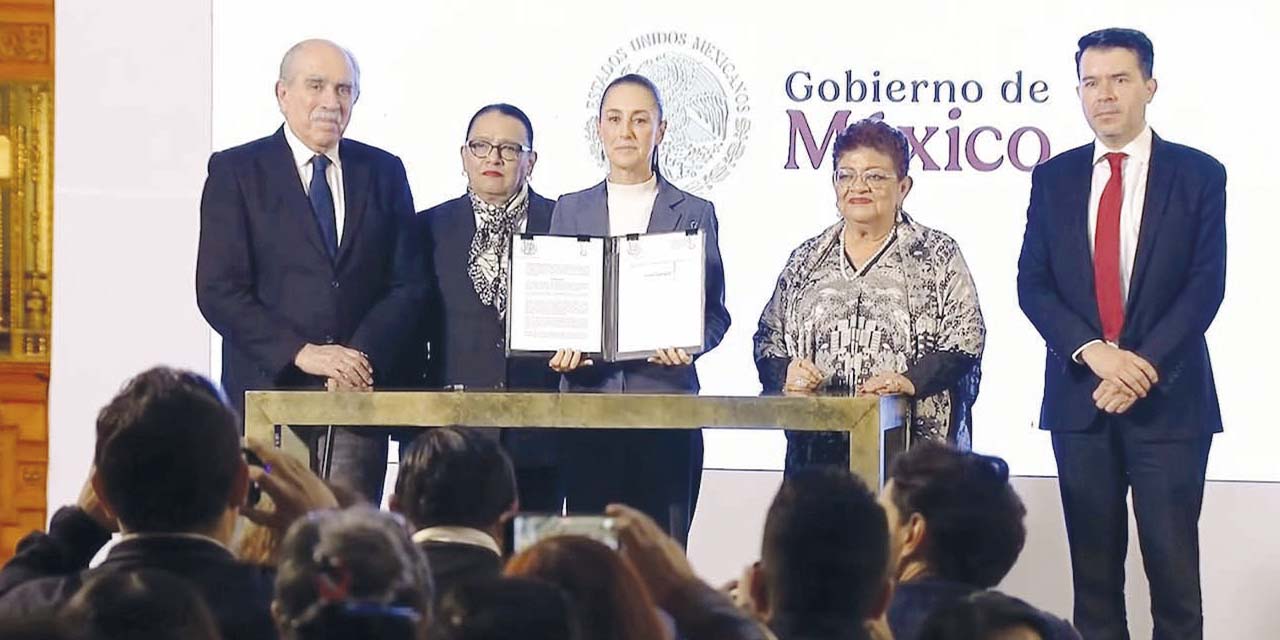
{"x": 307, "y": 268}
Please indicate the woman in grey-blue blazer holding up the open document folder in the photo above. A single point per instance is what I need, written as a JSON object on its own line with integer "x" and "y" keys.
{"x": 657, "y": 472}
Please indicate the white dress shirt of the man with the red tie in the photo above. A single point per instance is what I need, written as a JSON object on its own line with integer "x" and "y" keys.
{"x": 1133, "y": 175}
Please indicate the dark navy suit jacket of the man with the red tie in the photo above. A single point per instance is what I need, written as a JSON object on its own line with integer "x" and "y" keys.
{"x": 1180, "y": 277}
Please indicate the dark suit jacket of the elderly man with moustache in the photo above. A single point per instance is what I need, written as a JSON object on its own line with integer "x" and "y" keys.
{"x": 267, "y": 285}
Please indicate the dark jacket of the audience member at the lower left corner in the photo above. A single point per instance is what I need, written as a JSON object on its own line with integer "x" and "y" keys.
{"x": 51, "y": 568}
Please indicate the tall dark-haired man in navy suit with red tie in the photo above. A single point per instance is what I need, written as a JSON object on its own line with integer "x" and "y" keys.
{"x": 1123, "y": 269}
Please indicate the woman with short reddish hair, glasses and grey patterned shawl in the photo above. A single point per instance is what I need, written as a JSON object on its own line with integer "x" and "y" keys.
{"x": 877, "y": 304}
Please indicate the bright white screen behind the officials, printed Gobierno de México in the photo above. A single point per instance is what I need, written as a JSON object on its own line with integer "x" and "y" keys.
{"x": 428, "y": 66}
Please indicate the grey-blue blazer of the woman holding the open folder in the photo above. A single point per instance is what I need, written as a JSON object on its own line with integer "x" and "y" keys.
{"x": 587, "y": 213}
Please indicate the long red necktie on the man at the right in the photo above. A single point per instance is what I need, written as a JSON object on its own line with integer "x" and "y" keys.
{"x": 1107, "y": 253}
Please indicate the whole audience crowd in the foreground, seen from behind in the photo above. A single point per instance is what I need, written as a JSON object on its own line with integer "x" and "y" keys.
{"x": 217, "y": 540}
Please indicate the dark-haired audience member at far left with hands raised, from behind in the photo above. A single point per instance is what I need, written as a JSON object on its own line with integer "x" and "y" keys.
{"x": 171, "y": 477}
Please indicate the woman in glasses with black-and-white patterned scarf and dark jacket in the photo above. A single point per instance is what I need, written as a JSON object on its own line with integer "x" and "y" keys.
{"x": 468, "y": 240}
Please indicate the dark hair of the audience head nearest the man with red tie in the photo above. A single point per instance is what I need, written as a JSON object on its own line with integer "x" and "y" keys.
{"x": 973, "y": 518}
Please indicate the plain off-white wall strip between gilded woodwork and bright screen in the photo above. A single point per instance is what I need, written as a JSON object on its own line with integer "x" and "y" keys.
{"x": 132, "y": 125}
